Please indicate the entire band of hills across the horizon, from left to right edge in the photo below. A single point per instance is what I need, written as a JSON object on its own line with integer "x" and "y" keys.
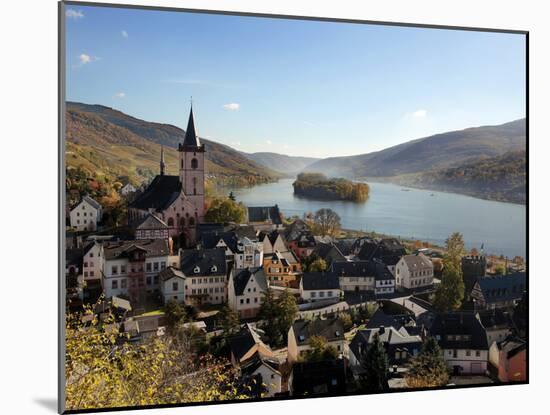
{"x": 487, "y": 162}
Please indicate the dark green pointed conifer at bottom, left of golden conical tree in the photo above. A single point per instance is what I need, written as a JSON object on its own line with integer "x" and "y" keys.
{"x": 375, "y": 367}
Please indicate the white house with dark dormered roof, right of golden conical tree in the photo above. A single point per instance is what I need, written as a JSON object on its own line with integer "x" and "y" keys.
{"x": 463, "y": 340}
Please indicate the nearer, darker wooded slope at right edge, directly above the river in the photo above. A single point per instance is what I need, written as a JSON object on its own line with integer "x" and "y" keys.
{"x": 497, "y": 178}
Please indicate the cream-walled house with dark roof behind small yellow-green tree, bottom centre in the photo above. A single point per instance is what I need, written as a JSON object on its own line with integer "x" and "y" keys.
{"x": 302, "y": 330}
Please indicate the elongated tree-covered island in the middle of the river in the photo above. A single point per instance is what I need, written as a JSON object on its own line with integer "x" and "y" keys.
{"x": 319, "y": 186}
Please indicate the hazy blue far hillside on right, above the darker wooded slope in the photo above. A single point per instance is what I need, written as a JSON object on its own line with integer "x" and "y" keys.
{"x": 435, "y": 152}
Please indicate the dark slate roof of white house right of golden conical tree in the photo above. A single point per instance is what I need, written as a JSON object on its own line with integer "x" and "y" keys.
{"x": 468, "y": 327}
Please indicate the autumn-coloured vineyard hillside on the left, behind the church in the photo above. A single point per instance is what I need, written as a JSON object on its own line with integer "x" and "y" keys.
{"x": 109, "y": 142}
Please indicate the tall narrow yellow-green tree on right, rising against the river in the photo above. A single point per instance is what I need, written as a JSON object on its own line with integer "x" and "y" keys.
{"x": 450, "y": 293}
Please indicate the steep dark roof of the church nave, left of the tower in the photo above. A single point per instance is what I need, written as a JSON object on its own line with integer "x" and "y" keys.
{"x": 160, "y": 194}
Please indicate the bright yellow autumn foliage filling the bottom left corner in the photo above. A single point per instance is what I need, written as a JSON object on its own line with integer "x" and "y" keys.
{"x": 104, "y": 370}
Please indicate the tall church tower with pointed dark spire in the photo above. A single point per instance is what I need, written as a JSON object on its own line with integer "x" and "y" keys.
{"x": 191, "y": 167}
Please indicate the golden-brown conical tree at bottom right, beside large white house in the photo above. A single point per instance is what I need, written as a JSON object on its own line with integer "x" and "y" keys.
{"x": 428, "y": 369}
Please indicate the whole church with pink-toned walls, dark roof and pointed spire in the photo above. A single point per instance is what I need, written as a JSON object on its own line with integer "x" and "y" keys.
{"x": 177, "y": 200}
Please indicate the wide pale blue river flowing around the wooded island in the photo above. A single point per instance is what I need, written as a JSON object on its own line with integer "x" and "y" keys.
{"x": 410, "y": 213}
